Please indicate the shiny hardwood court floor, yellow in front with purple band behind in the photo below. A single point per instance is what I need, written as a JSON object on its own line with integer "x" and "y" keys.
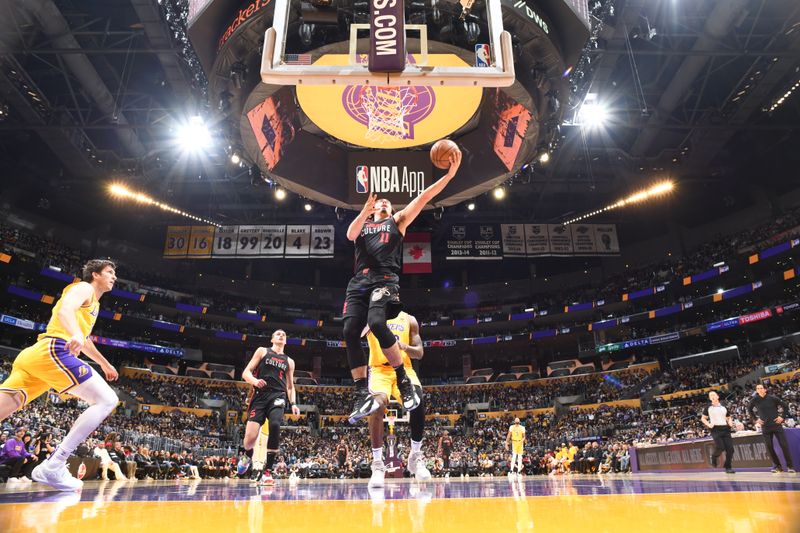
{"x": 746, "y": 502}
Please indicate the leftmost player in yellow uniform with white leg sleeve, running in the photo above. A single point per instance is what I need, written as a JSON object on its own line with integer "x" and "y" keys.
{"x": 52, "y": 363}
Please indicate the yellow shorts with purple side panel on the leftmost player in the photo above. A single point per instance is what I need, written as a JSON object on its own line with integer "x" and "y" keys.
{"x": 45, "y": 365}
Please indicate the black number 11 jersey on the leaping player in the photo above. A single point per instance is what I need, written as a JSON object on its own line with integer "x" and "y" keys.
{"x": 379, "y": 247}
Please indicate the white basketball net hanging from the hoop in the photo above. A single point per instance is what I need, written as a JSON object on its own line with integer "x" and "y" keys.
{"x": 386, "y": 109}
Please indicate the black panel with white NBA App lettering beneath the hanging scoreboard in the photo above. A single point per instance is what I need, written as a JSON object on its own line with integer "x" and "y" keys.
{"x": 398, "y": 176}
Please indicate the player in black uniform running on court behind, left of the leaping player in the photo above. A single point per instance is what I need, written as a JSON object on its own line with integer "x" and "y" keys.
{"x": 271, "y": 373}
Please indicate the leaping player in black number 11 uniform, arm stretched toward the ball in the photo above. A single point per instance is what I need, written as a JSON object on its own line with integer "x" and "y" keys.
{"x": 373, "y": 292}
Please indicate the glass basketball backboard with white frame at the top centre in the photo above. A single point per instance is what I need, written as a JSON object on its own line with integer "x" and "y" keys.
{"x": 378, "y": 53}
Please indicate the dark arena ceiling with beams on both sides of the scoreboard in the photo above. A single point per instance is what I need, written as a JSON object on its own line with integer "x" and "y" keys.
{"x": 91, "y": 91}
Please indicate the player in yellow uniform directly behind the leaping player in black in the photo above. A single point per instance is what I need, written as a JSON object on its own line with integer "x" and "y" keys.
{"x": 383, "y": 384}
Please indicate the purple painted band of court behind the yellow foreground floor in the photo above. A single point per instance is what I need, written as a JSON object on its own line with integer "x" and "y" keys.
{"x": 403, "y": 489}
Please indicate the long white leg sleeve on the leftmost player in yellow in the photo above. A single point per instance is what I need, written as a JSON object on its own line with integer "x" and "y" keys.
{"x": 102, "y": 399}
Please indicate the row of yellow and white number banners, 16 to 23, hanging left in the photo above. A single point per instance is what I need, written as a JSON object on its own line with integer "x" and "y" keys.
{"x": 270, "y": 241}
